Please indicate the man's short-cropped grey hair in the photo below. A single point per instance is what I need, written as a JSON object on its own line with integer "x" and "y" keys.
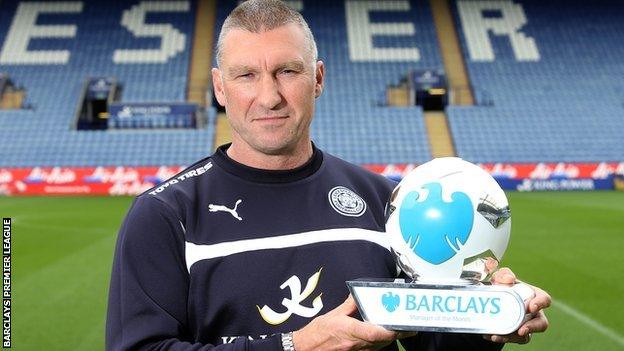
{"x": 257, "y": 16}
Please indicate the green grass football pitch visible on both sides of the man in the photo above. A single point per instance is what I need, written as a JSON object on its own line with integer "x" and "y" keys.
{"x": 568, "y": 243}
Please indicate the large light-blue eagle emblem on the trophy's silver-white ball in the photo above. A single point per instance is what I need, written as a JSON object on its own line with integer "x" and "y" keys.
{"x": 434, "y": 229}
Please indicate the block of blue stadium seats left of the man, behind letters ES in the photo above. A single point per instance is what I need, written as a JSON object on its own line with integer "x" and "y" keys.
{"x": 43, "y": 135}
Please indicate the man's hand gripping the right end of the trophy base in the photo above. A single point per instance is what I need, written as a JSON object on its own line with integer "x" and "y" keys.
{"x": 538, "y": 322}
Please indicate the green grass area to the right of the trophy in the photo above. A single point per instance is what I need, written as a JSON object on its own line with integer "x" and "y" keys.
{"x": 570, "y": 244}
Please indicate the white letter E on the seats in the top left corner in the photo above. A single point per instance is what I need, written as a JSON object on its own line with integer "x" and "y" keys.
{"x": 24, "y": 28}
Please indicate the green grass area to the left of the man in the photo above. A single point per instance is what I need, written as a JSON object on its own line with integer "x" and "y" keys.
{"x": 62, "y": 253}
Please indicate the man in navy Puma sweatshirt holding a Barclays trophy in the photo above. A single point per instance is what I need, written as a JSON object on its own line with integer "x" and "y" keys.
{"x": 250, "y": 248}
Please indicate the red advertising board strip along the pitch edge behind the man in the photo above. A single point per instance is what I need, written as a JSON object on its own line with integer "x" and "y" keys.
{"x": 135, "y": 180}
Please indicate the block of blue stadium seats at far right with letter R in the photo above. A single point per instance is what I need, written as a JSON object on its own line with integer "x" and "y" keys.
{"x": 565, "y": 106}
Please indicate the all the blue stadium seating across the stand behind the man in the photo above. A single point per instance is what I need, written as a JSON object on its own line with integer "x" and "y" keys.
{"x": 558, "y": 100}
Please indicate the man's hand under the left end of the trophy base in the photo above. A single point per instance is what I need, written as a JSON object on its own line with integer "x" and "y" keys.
{"x": 337, "y": 330}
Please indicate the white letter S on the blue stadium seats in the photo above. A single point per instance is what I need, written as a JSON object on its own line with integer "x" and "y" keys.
{"x": 172, "y": 40}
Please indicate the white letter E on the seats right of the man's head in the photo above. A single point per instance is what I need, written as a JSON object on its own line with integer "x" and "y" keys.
{"x": 360, "y": 31}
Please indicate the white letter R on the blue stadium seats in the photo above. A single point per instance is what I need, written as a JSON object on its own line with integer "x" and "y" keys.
{"x": 476, "y": 28}
